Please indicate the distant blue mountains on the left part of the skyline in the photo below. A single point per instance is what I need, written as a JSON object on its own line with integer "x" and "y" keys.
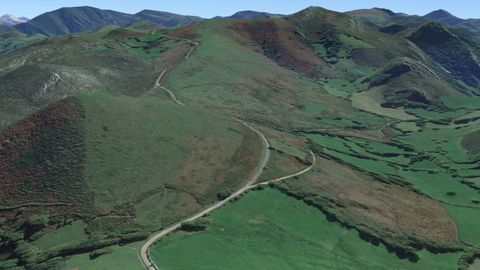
{"x": 77, "y": 19}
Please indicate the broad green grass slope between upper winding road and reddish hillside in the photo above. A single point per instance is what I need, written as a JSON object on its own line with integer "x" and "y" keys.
{"x": 255, "y": 87}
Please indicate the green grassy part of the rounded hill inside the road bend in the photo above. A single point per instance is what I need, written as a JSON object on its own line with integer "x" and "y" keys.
{"x": 152, "y": 144}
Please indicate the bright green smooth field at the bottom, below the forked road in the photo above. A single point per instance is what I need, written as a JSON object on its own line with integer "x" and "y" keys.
{"x": 268, "y": 230}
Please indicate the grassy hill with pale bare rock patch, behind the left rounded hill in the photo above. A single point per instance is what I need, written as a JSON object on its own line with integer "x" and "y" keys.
{"x": 116, "y": 60}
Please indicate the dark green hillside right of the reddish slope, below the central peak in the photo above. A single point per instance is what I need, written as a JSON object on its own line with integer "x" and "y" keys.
{"x": 348, "y": 43}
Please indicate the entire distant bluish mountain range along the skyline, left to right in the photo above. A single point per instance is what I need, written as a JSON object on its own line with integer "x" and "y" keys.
{"x": 77, "y": 19}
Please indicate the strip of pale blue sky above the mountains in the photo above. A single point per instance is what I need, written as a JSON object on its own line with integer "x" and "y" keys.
{"x": 210, "y": 8}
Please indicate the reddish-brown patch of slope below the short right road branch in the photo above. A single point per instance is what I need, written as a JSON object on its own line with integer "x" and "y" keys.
{"x": 379, "y": 205}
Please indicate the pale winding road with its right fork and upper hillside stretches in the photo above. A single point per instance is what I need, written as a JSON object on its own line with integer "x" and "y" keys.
{"x": 250, "y": 184}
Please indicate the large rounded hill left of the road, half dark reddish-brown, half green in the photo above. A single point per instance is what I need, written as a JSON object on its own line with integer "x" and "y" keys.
{"x": 111, "y": 176}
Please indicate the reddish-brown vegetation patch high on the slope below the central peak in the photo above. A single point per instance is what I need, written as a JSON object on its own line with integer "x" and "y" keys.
{"x": 277, "y": 40}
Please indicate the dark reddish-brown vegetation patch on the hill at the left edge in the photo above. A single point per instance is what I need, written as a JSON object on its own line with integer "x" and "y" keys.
{"x": 20, "y": 140}
